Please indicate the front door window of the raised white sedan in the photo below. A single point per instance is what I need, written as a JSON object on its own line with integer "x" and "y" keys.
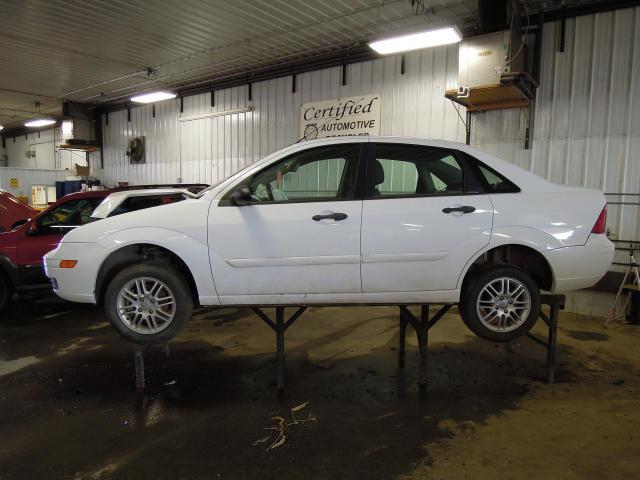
{"x": 317, "y": 174}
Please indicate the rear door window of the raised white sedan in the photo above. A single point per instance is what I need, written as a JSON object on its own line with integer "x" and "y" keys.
{"x": 414, "y": 170}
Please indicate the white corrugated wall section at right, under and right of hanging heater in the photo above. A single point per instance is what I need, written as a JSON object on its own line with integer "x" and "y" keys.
{"x": 587, "y": 116}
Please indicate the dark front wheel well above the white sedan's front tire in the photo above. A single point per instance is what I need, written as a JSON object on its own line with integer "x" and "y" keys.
{"x": 136, "y": 253}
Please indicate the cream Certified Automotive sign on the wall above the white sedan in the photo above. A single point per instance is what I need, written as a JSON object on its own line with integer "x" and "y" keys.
{"x": 343, "y": 116}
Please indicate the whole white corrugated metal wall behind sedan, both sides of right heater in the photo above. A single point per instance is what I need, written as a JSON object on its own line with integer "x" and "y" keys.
{"x": 587, "y": 120}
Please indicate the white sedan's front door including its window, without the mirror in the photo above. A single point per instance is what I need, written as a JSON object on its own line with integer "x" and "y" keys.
{"x": 299, "y": 235}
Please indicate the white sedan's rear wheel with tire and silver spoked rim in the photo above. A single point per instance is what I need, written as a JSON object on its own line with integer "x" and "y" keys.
{"x": 500, "y": 304}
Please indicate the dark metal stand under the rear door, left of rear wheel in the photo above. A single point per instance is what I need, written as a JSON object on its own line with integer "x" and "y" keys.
{"x": 421, "y": 328}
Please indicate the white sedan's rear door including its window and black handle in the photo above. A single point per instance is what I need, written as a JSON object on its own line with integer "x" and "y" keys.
{"x": 423, "y": 218}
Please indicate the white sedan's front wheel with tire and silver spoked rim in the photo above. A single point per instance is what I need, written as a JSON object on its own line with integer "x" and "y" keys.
{"x": 155, "y": 301}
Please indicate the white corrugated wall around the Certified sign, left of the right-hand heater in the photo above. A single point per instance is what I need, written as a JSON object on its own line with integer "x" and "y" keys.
{"x": 210, "y": 149}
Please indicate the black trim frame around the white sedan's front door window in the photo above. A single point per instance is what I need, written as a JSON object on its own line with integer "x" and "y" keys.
{"x": 356, "y": 195}
